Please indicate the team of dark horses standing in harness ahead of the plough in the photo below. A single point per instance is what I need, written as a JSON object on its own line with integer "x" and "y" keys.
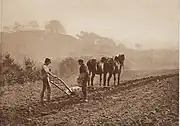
{"x": 106, "y": 66}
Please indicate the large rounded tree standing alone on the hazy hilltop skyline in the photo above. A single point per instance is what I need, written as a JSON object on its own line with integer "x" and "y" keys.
{"x": 55, "y": 26}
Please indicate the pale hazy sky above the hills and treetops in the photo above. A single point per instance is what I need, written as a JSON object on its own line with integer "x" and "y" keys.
{"x": 143, "y": 21}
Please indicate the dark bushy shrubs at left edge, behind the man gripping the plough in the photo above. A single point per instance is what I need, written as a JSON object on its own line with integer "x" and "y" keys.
{"x": 14, "y": 73}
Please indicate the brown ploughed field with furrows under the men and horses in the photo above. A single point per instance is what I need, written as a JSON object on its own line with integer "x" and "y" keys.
{"x": 143, "y": 98}
